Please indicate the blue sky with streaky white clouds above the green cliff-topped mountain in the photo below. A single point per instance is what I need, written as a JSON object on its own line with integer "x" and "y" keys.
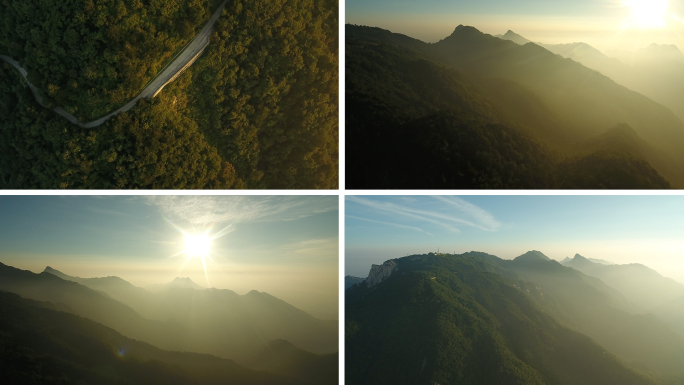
{"x": 620, "y": 229}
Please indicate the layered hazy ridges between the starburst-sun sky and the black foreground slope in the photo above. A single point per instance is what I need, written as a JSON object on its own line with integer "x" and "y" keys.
{"x": 256, "y": 330}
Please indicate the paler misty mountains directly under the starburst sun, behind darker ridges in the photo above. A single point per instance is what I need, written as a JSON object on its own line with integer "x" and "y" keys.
{"x": 222, "y": 322}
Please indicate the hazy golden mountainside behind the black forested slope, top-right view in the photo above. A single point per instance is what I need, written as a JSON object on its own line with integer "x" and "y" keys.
{"x": 586, "y": 100}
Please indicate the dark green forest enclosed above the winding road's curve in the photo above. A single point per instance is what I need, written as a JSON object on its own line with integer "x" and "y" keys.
{"x": 92, "y": 57}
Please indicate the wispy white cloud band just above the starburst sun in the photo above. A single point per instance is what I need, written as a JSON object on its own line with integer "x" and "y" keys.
{"x": 231, "y": 209}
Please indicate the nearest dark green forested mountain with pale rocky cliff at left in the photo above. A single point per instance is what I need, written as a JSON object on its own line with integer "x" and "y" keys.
{"x": 457, "y": 319}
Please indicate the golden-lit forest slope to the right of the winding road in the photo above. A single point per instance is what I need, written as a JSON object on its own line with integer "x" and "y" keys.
{"x": 265, "y": 93}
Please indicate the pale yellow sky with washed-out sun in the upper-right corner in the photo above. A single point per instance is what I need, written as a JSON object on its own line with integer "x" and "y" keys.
{"x": 605, "y": 24}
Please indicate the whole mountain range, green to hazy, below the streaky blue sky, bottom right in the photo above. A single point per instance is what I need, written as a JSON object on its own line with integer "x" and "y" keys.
{"x": 474, "y": 318}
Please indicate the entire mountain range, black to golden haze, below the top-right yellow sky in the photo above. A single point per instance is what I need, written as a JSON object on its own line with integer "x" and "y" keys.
{"x": 476, "y": 111}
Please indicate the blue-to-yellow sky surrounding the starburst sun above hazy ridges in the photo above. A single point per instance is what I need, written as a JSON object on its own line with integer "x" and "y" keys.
{"x": 286, "y": 246}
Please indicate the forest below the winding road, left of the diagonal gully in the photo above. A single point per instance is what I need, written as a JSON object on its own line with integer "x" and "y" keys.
{"x": 151, "y": 146}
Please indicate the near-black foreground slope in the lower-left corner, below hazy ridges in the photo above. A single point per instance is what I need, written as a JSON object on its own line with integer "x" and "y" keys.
{"x": 41, "y": 345}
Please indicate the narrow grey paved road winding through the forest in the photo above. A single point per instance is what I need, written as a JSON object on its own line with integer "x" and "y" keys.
{"x": 190, "y": 53}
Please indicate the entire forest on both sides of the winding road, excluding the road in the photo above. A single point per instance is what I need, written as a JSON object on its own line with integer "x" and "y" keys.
{"x": 258, "y": 109}
